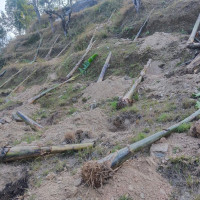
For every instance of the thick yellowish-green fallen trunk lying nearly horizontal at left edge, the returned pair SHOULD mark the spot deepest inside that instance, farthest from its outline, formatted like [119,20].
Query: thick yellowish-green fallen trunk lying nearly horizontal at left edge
[8,154]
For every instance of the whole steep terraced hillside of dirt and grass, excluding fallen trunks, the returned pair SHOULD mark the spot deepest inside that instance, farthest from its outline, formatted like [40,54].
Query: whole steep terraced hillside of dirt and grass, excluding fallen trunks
[85,111]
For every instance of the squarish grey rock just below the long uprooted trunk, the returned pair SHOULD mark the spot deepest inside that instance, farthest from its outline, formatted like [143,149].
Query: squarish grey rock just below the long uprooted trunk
[159,150]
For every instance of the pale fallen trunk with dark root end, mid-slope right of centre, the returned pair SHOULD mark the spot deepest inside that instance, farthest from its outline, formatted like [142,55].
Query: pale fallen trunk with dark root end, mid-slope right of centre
[128,98]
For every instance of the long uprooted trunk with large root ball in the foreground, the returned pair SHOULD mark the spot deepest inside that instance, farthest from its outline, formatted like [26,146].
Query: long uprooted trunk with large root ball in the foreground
[91,171]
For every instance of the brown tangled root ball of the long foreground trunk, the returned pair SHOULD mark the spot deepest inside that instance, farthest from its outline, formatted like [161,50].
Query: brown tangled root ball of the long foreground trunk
[95,174]
